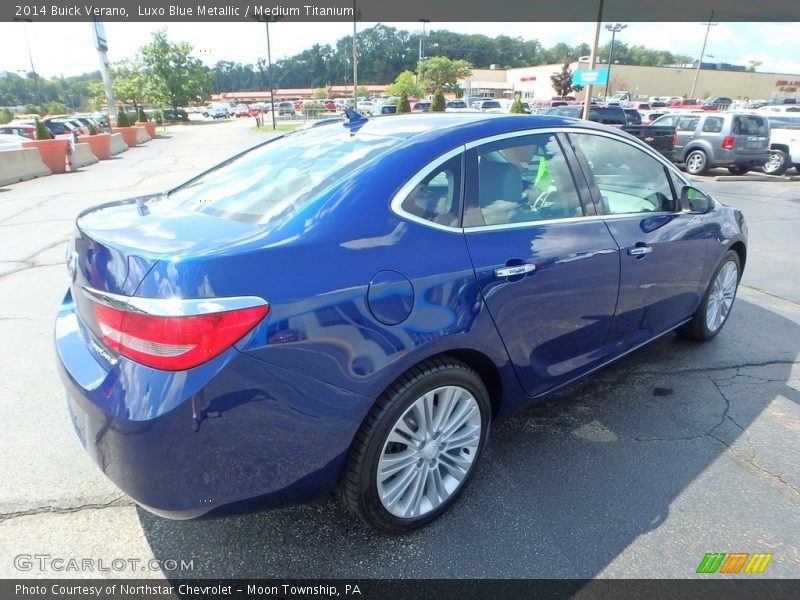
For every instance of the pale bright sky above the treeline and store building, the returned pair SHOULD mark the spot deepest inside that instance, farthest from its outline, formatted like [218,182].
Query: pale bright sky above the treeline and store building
[67,49]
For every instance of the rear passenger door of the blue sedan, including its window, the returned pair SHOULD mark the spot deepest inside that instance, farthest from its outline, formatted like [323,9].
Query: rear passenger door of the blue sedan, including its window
[547,268]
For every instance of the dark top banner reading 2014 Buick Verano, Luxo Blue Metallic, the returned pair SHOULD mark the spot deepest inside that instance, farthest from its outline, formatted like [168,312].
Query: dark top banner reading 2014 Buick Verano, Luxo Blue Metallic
[532,11]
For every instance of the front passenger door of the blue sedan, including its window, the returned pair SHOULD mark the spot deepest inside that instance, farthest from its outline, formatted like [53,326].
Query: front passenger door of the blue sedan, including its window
[661,249]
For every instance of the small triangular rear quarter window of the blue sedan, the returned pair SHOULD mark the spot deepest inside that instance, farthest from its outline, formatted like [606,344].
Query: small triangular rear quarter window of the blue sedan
[436,197]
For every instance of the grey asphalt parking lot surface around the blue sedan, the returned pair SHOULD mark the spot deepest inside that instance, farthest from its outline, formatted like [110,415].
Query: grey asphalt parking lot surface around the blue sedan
[678,450]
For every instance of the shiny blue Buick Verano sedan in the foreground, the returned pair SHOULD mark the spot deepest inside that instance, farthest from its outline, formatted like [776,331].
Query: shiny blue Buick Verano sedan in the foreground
[349,307]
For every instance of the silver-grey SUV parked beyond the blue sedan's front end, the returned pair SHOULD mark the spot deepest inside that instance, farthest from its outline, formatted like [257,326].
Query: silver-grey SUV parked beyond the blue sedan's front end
[739,141]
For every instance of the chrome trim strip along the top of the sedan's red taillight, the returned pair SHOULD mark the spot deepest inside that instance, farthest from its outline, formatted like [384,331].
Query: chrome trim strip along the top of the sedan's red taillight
[172,307]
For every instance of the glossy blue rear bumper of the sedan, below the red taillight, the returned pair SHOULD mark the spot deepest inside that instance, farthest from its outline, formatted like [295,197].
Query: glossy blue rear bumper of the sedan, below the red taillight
[234,429]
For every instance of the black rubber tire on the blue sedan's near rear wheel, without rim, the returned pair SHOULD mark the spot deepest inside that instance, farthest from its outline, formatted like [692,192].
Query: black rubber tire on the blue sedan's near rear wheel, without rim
[358,486]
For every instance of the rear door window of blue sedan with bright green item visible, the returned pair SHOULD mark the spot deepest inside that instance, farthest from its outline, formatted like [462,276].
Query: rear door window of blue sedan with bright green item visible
[524,179]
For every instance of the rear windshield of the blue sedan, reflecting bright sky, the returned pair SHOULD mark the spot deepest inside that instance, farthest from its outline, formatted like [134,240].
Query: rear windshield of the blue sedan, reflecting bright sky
[275,181]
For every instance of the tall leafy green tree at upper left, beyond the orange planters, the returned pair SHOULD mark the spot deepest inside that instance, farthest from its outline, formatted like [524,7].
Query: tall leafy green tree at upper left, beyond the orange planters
[174,77]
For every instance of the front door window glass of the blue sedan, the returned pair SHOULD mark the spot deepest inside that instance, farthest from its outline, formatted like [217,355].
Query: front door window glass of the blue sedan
[630,180]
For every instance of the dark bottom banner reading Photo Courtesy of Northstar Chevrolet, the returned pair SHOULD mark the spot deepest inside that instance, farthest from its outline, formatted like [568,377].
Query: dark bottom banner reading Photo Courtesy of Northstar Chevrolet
[709,588]
